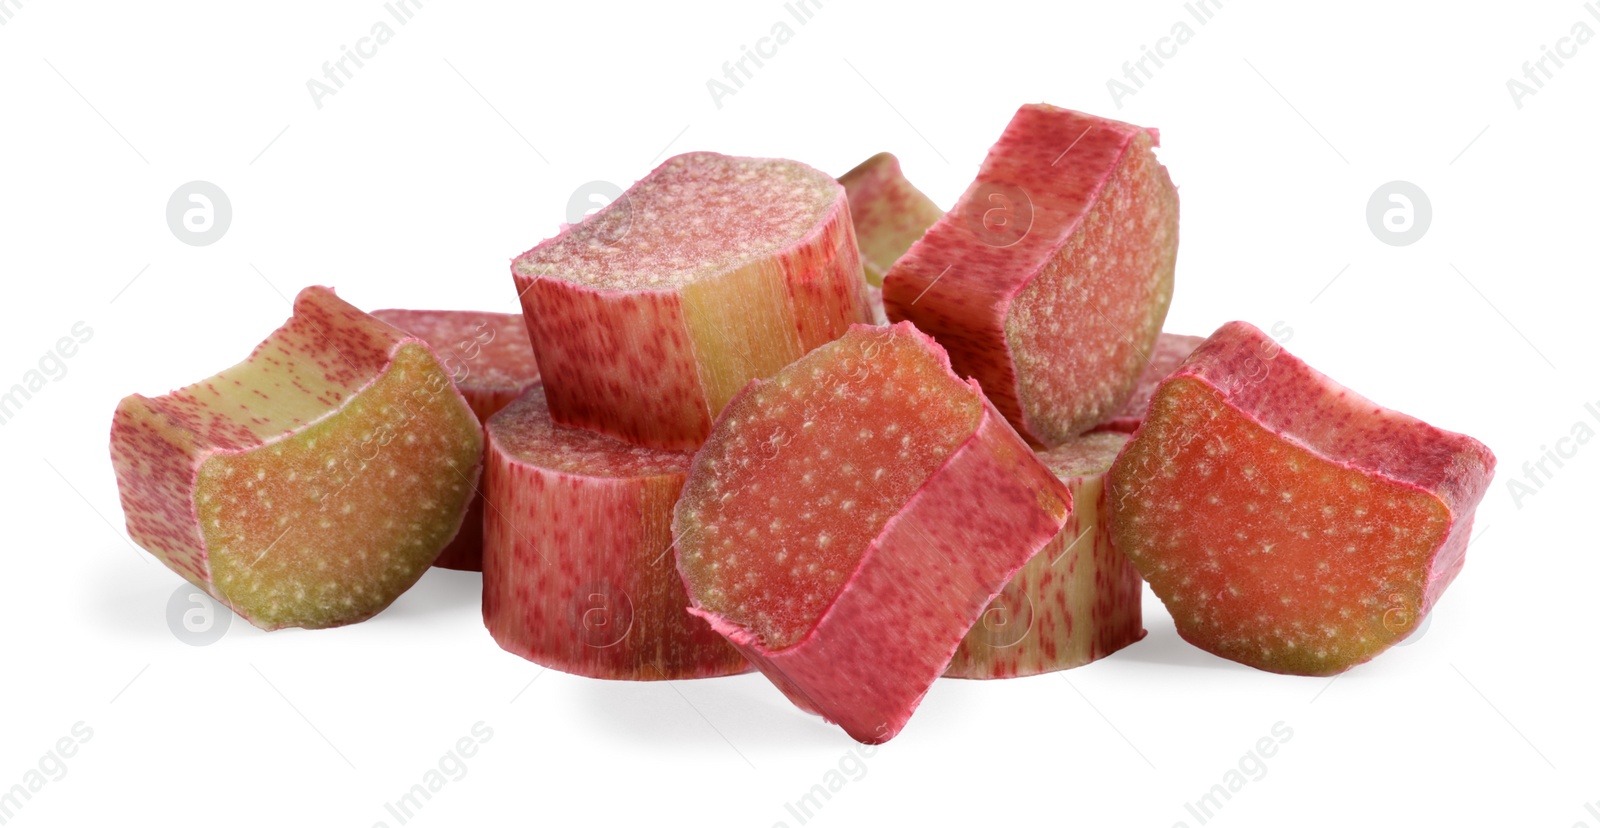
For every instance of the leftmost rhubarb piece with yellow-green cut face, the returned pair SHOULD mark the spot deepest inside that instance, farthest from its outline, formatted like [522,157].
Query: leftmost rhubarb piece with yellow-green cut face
[310,485]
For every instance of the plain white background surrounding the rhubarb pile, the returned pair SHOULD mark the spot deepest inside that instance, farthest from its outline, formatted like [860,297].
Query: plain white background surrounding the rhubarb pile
[460,145]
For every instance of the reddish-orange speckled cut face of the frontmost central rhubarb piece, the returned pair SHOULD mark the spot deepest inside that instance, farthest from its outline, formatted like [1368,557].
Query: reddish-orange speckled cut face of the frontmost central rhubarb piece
[807,471]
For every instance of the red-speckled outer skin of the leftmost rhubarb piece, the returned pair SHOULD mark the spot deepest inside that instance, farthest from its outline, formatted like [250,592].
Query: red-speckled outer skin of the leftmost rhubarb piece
[159,445]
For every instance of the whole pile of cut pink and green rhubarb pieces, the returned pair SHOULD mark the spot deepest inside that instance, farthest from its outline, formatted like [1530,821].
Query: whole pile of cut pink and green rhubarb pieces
[758,418]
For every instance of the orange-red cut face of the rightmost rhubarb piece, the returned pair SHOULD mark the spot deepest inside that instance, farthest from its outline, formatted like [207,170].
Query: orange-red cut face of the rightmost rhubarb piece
[1268,552]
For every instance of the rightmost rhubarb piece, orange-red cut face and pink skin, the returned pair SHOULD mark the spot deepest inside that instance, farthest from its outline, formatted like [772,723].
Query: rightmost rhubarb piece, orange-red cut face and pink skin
[1287,522]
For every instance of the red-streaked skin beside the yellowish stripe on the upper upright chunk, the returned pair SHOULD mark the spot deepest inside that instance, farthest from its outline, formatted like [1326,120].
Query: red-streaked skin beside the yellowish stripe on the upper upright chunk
[626,364]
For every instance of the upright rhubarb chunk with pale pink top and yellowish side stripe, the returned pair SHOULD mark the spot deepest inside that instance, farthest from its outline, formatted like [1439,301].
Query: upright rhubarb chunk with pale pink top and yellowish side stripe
[650,314]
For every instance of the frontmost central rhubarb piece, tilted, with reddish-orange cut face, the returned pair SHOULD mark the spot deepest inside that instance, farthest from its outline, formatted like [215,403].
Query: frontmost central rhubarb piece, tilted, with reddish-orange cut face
[852,517]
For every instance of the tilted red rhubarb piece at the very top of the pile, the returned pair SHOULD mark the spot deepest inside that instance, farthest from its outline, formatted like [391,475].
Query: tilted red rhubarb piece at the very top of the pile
[1050,281]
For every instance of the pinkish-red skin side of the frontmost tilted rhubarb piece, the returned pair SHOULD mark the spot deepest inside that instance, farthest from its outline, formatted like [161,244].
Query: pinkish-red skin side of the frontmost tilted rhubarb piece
[919,587]
